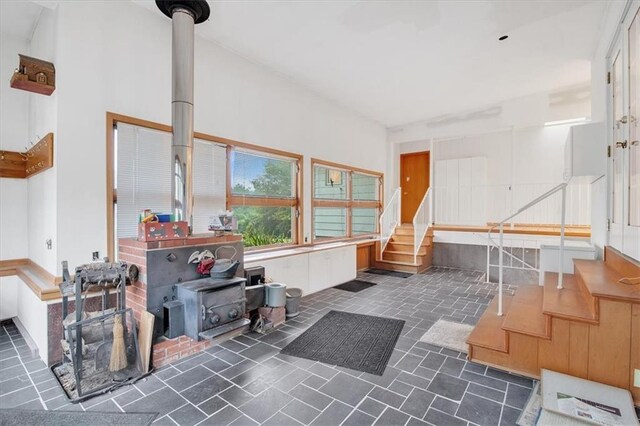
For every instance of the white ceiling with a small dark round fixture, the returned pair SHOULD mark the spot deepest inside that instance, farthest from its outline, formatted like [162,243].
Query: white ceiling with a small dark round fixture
[398,62]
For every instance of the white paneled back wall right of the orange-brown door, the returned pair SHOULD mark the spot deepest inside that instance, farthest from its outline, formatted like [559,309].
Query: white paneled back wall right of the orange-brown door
[484,178]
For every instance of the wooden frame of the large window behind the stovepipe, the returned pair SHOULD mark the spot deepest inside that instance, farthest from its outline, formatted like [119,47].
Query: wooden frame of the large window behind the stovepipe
[111,195]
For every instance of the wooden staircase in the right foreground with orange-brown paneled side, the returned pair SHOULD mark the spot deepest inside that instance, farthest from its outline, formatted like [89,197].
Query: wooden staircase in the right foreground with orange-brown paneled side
[589,329]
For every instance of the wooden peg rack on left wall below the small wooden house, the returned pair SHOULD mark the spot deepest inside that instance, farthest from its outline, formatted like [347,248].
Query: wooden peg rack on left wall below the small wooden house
[19,165]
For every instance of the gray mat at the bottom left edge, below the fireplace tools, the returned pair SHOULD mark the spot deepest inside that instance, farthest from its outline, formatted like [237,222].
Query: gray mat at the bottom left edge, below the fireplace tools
[15,417]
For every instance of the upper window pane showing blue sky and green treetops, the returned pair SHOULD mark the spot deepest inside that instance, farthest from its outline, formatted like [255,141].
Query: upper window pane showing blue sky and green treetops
[258,175]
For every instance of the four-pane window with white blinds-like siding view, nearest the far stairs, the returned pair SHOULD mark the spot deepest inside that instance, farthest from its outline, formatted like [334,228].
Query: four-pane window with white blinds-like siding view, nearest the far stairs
[346,201]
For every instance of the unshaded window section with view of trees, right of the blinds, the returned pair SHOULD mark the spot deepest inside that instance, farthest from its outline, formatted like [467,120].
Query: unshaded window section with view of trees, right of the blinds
[264,196]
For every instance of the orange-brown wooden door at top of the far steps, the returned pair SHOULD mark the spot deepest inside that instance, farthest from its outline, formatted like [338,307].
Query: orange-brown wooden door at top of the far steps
[414,181]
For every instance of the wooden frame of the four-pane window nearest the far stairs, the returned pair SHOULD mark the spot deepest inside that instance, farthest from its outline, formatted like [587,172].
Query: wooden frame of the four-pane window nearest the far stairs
[349,204]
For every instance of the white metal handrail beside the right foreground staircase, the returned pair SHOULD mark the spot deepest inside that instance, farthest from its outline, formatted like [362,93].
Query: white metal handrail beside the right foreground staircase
[500,225]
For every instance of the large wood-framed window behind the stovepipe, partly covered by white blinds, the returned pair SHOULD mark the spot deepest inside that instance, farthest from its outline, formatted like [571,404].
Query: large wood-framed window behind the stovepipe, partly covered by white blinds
[260,185]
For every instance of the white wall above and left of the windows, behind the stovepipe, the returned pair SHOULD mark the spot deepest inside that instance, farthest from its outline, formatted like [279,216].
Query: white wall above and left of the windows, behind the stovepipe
[114,56]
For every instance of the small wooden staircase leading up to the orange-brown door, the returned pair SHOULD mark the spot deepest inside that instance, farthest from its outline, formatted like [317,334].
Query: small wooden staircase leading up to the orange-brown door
[398,254]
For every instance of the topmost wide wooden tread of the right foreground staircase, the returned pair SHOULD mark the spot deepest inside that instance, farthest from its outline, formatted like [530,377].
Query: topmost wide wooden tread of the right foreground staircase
[602,281]
